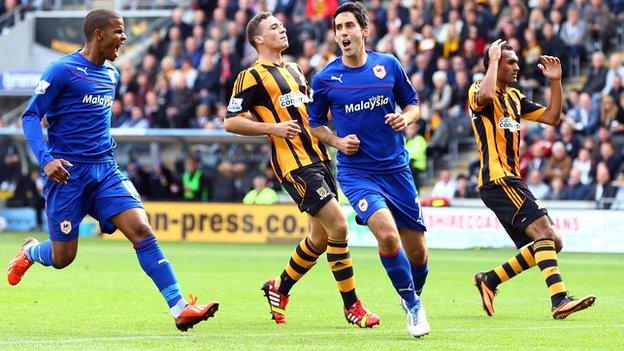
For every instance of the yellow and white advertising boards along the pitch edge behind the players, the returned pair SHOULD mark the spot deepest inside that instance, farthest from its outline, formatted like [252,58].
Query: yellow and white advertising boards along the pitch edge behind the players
[448,228]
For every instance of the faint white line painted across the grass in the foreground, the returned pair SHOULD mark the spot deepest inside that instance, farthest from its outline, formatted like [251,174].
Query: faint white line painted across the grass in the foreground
[299,333]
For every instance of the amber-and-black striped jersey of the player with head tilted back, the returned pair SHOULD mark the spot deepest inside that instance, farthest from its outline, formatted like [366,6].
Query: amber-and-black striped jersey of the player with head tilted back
[273,94]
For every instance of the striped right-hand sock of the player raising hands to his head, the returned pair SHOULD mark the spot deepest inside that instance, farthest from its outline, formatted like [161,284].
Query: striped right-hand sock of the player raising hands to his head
[546,258]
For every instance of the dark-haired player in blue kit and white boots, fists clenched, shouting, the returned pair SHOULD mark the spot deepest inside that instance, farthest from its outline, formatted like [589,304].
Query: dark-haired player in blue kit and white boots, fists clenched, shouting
[361,89]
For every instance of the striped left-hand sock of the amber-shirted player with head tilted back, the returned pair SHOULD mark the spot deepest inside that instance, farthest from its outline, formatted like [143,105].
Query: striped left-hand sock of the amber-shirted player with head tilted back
[302,259]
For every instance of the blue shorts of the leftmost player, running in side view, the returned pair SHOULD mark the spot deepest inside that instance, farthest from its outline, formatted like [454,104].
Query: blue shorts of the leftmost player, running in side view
[97,189]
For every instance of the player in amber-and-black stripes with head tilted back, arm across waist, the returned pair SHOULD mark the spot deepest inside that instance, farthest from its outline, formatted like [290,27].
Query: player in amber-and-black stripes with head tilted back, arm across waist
[270,98]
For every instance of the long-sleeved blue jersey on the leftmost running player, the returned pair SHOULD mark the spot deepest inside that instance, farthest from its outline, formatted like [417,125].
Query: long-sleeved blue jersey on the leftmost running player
[76,97]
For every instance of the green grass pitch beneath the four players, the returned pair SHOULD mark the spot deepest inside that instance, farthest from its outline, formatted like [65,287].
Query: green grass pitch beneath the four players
[104,301]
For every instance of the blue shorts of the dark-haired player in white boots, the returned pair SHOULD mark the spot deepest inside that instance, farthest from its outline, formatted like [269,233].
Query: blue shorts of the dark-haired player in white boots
[368,193]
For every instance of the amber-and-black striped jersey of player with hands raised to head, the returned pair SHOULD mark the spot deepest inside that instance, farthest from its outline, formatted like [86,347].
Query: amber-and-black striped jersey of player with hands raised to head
[496,129]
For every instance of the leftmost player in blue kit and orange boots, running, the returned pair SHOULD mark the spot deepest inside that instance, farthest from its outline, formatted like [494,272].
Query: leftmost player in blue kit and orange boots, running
[75,94]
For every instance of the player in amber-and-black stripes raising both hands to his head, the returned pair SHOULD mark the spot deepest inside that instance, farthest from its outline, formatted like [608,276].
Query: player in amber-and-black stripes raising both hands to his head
[496,112]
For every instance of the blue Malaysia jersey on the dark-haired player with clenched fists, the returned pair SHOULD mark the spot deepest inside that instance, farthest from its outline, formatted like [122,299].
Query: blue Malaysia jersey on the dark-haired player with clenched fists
[358,99]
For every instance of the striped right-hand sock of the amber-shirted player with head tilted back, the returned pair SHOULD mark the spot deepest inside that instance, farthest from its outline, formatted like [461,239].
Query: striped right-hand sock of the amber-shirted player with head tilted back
[340,262]
